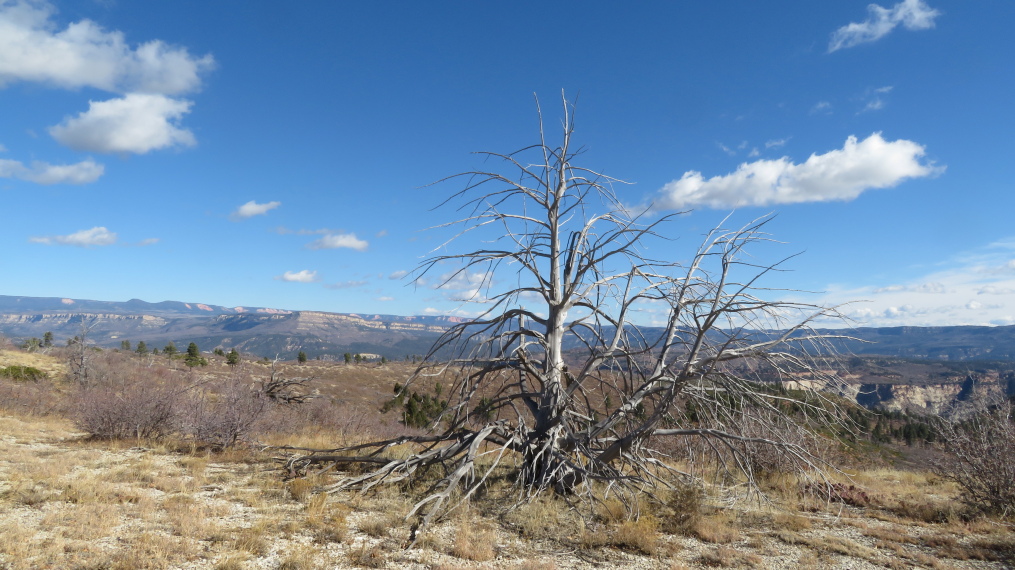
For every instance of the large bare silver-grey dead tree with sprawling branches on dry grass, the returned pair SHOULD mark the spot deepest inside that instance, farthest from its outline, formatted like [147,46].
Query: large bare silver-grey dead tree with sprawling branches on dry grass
[558,379]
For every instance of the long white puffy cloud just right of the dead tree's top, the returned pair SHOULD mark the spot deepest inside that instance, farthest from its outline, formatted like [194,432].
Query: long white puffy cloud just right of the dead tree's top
[838,175]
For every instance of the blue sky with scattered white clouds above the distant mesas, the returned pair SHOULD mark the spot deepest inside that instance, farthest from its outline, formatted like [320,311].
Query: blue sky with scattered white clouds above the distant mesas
[248,155]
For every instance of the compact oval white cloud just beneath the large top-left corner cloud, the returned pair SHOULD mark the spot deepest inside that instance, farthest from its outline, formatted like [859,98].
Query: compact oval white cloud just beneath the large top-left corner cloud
[137,123]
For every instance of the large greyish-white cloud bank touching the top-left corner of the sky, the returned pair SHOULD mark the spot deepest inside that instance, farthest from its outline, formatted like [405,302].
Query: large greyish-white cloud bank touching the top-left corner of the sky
[85,55]
